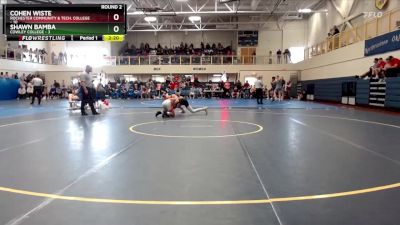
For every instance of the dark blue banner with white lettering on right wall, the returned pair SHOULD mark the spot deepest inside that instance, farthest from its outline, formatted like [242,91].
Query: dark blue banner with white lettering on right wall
[384,43]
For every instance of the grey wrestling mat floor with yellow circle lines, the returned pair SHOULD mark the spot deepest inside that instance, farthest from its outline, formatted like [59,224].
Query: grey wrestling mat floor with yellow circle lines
[282,163]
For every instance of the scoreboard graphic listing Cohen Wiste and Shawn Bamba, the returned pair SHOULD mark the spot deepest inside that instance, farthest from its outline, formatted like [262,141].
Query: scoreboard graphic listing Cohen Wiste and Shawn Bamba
[91,22]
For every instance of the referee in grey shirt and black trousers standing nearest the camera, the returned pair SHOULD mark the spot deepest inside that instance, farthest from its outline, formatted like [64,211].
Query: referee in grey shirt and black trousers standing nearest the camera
[87,90]
